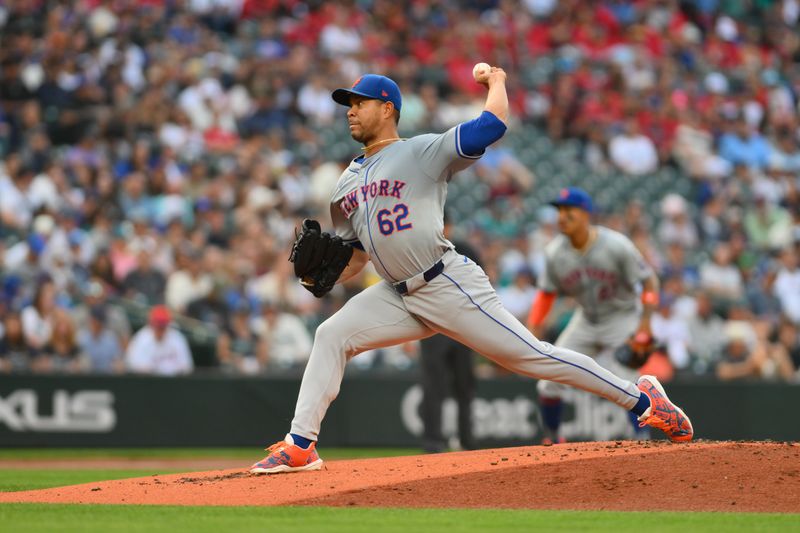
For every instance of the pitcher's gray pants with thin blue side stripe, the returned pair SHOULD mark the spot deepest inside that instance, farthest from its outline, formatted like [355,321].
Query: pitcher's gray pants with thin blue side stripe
[460,303]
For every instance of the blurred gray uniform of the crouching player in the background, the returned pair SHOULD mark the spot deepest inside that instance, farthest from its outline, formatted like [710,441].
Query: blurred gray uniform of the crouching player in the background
[605,282]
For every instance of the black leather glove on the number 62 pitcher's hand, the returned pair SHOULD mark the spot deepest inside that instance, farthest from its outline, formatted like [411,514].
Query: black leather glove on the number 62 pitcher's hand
[319,258]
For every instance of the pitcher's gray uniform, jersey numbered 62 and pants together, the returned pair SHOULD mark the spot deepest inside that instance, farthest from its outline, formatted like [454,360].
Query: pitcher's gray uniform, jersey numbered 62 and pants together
[392,203]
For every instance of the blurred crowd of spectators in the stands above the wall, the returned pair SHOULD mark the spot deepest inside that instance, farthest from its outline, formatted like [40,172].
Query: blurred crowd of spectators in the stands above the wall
[157,155]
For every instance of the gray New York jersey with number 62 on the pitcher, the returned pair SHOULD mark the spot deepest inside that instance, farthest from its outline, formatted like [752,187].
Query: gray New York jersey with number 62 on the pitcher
[389,205]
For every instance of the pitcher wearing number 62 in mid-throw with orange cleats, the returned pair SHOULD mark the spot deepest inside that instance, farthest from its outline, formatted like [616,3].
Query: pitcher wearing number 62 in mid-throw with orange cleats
[387,207]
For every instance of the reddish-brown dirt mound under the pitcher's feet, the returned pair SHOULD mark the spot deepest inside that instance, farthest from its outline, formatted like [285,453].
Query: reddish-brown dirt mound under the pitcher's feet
[701,476]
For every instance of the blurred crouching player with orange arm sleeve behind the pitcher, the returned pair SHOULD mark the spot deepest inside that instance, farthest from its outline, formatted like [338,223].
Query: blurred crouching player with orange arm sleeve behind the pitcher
[607,276]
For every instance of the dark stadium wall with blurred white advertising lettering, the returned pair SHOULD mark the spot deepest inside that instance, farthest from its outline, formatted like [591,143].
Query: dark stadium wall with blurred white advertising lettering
[132,411]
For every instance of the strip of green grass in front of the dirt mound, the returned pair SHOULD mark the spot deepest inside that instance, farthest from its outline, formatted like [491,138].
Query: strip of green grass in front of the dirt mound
[152,519]
